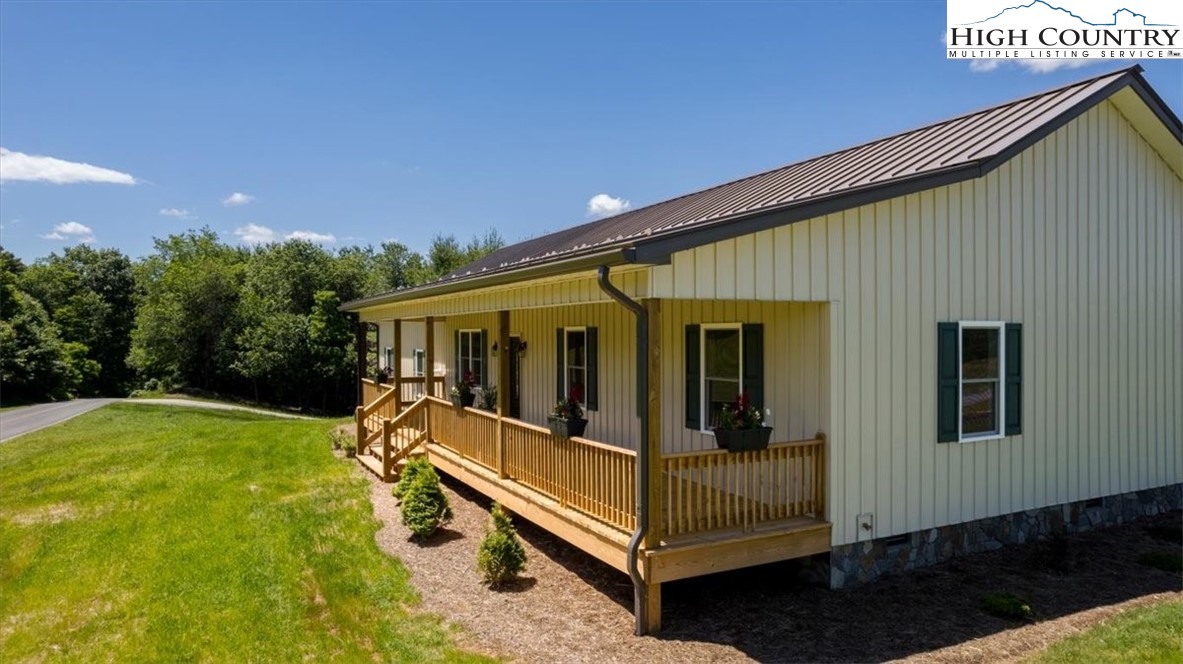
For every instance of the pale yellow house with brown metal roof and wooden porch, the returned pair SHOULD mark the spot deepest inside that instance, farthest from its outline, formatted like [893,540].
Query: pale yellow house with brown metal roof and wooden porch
[964,336]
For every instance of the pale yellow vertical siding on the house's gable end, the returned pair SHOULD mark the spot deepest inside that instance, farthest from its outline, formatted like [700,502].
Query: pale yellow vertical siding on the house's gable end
[1078,237]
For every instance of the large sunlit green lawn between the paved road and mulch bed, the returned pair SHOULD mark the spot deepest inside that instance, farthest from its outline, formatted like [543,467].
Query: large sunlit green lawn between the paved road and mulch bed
[141,533]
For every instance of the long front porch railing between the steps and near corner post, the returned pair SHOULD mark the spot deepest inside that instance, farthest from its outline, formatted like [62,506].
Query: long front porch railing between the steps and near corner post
[591,478]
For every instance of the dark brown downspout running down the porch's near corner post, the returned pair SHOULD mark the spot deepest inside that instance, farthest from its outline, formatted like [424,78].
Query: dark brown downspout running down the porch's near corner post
[643,453]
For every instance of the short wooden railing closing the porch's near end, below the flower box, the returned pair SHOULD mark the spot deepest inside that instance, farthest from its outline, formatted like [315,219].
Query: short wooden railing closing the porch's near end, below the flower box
[720,489]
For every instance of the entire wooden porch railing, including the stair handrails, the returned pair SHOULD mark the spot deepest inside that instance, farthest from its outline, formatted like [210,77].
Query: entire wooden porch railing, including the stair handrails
[701,492]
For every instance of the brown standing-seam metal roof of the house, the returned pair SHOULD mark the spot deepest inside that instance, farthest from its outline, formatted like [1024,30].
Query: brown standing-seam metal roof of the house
[952,151]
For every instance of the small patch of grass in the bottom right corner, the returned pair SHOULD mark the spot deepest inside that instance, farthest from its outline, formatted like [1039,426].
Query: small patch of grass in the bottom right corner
[1148,634]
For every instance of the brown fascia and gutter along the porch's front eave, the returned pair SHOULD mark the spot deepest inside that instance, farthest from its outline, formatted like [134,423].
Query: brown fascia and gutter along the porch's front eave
[534,270]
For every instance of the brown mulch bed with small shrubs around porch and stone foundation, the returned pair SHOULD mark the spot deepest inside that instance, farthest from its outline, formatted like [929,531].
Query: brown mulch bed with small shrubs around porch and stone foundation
[571,608]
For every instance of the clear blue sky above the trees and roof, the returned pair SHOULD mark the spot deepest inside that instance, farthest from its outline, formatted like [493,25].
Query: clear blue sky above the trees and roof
[358,124]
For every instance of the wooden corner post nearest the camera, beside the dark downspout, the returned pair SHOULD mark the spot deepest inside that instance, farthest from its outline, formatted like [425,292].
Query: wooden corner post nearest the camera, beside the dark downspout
[654,441]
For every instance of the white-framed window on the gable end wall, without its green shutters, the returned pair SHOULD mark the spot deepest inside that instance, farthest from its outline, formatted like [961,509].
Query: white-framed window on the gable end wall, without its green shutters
[981,396]
